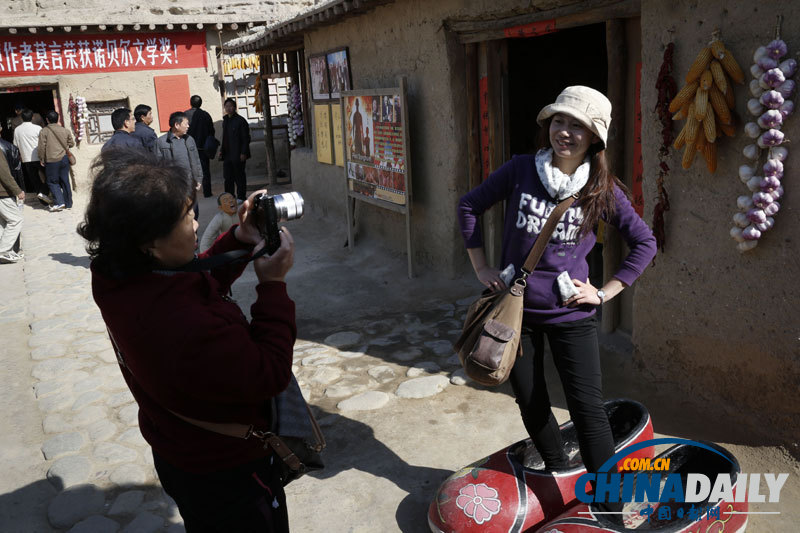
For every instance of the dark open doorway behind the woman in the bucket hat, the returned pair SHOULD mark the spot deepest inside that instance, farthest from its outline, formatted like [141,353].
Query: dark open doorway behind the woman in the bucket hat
[539,68]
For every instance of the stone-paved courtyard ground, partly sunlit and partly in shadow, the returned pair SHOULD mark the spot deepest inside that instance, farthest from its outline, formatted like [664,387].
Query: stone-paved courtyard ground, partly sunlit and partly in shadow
[373,358]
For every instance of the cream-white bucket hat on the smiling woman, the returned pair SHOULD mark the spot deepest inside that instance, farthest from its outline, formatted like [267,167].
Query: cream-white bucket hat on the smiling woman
[589,106]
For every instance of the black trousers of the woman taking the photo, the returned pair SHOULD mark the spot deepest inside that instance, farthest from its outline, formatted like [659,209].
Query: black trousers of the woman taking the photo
[247,498]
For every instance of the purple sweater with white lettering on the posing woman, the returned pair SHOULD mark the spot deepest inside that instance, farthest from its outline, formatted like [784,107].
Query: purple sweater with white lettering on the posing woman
[527,210]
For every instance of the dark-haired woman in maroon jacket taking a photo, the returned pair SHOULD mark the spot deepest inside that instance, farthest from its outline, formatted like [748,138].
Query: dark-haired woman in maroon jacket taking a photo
[184,349]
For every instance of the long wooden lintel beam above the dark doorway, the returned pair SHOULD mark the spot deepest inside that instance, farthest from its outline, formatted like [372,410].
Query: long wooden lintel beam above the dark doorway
[579,14]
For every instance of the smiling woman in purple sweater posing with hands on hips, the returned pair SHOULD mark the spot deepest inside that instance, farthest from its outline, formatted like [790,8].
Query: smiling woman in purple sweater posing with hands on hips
[571,161]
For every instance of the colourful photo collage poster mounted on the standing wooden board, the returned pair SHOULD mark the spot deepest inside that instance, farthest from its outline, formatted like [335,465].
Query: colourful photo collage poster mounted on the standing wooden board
[376,162]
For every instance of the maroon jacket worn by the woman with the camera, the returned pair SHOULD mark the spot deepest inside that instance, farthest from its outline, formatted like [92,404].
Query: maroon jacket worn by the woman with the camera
[188,350]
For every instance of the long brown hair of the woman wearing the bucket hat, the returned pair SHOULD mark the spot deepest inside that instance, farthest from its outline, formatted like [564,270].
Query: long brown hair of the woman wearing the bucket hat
[596,199]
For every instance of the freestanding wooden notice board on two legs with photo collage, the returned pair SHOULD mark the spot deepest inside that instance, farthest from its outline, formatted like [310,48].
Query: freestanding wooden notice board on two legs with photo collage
[375,127]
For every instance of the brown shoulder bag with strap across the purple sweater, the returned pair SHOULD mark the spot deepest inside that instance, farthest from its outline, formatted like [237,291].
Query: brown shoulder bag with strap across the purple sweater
[490,341]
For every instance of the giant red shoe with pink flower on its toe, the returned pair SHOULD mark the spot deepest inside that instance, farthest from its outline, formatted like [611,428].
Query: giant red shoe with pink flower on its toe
[510,491]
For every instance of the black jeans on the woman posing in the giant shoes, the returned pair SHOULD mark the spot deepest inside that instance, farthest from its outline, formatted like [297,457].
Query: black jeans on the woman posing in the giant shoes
[576,355]
